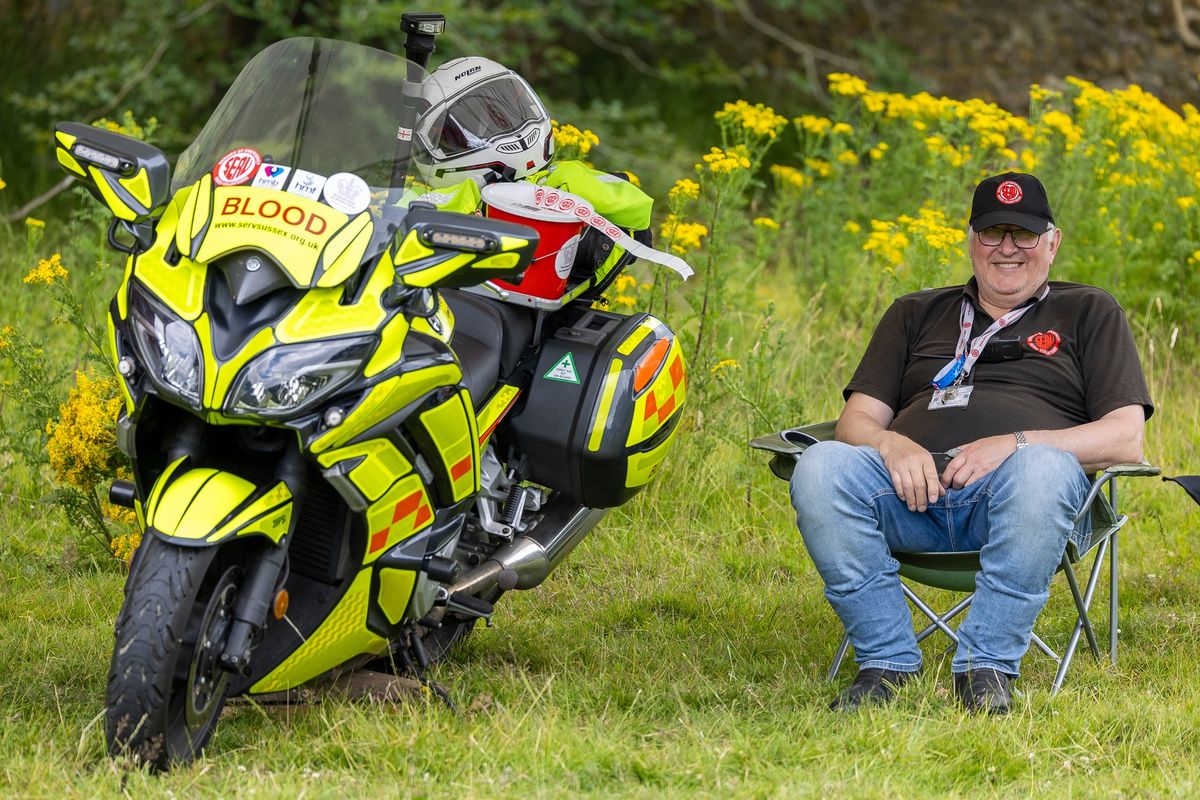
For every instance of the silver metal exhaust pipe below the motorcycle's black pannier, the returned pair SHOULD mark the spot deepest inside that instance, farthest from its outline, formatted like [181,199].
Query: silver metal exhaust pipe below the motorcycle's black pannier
[527,561]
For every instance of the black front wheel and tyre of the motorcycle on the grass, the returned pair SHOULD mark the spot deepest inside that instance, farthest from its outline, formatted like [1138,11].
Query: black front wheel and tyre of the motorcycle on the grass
[166,688]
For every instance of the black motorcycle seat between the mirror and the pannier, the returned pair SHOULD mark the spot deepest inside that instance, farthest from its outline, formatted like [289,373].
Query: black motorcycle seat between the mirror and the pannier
[489,339]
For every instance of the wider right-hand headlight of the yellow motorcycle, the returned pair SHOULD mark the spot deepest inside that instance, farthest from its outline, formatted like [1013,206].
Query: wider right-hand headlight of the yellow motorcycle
[290,380]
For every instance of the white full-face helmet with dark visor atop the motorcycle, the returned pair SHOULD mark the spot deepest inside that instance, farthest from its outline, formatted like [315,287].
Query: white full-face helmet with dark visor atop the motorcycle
[483,117]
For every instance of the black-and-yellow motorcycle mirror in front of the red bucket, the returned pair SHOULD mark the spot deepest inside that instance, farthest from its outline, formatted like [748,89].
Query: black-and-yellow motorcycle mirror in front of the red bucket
[452,251]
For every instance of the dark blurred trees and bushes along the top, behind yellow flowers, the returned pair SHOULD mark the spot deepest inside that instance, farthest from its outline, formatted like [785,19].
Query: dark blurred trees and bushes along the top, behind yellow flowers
[646,75]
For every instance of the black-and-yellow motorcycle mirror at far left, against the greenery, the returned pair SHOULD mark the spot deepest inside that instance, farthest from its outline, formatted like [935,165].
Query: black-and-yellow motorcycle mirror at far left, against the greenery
[129,176]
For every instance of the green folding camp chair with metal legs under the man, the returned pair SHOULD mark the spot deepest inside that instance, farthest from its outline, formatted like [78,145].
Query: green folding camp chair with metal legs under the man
[957,572]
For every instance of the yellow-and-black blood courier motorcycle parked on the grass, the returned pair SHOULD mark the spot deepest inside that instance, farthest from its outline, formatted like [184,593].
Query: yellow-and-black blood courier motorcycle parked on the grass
[351,432]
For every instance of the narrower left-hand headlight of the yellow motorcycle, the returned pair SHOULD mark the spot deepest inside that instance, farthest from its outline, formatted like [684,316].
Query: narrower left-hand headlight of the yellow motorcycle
[169,346]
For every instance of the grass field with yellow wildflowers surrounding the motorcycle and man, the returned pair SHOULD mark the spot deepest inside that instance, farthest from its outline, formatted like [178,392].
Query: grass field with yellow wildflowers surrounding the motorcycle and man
[682,649]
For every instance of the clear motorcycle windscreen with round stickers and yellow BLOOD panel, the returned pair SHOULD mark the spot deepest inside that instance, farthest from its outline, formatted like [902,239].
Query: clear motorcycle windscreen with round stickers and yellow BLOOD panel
[314,136]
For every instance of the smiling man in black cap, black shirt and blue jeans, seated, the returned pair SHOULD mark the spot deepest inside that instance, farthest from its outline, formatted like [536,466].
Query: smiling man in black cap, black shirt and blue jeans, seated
[1029,386]
